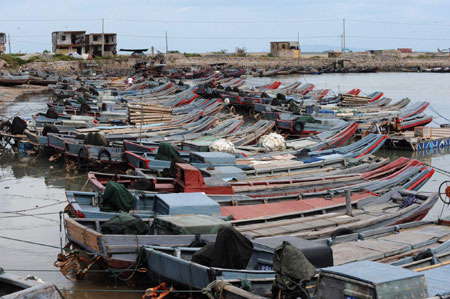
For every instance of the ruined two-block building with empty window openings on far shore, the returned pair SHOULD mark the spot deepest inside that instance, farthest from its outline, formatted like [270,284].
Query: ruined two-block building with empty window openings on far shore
[94,44]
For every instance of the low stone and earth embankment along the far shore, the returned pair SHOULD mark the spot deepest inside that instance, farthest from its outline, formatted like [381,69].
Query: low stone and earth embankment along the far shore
[123,64]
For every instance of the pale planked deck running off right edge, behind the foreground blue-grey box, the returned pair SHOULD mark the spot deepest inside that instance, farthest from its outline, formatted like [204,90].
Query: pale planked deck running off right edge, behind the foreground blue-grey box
[397,245]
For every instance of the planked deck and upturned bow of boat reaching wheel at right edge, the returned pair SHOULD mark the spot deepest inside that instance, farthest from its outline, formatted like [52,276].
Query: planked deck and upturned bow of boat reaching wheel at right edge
[372,212]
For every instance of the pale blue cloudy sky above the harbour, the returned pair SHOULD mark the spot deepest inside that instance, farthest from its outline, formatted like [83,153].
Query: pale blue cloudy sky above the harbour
[209,25]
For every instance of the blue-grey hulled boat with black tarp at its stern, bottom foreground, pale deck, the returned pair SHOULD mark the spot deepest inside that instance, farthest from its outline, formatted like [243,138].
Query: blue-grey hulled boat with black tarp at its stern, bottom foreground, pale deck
[175,265]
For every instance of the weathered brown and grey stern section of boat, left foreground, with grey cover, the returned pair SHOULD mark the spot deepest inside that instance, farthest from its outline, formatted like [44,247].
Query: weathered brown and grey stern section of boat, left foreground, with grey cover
[120,251]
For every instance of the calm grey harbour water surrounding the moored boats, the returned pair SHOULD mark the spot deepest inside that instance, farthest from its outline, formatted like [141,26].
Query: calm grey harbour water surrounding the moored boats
[29,244]
